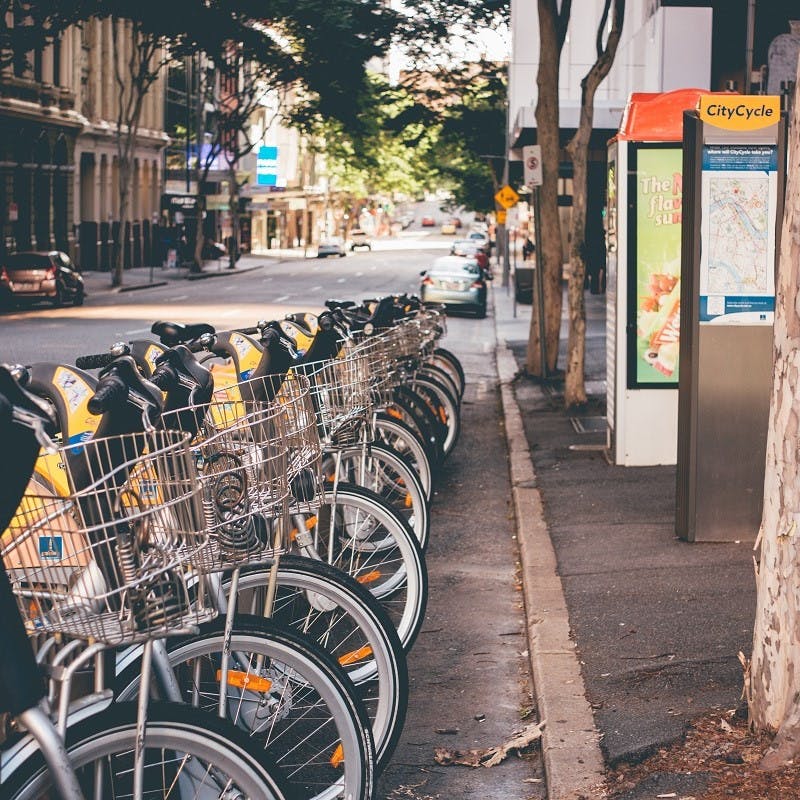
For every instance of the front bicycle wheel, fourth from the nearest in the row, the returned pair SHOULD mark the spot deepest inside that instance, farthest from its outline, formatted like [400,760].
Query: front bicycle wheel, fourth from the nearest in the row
[371,543]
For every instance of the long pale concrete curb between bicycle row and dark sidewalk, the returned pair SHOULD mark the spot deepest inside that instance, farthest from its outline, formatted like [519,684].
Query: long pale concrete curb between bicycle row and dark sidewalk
[573,762]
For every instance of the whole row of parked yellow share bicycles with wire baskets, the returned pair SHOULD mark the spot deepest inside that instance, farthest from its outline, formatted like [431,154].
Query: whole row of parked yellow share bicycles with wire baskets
[213,553]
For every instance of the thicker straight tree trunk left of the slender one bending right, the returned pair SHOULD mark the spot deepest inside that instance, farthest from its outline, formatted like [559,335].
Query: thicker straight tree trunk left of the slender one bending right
[550,259]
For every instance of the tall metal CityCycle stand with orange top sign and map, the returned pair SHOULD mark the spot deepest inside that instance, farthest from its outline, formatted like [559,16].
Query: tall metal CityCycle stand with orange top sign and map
[734,172]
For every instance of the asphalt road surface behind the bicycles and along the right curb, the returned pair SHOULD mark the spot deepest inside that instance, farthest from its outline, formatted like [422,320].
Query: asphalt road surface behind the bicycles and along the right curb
[469,680]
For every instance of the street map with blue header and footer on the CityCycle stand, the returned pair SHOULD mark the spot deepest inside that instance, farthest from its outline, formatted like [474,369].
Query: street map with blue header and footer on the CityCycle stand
[737,262]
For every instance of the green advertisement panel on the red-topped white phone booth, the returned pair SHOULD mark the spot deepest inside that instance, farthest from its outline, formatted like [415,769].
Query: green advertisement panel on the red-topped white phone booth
[654,265]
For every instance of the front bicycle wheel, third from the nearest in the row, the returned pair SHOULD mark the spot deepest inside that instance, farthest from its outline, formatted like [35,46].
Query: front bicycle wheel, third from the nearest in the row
[341,616]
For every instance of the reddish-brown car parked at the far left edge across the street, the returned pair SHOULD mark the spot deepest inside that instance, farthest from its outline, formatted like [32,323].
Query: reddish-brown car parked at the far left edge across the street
[40,276]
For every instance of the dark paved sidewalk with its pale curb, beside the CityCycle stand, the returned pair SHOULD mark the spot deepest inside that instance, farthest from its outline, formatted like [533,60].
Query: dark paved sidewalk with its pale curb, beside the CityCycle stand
[655,624]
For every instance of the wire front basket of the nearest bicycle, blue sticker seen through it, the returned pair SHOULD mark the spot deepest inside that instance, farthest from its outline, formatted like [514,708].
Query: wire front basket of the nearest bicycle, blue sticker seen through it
[111,560]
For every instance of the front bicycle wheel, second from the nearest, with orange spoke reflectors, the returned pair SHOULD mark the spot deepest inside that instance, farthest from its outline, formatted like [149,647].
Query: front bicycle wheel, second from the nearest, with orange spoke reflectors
[286,694]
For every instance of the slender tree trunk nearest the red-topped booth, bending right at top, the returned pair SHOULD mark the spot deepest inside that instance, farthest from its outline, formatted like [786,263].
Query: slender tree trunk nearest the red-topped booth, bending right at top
[578,149]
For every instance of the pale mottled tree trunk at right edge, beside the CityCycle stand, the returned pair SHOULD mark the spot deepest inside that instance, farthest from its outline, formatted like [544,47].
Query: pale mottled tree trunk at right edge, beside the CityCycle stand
[773,695]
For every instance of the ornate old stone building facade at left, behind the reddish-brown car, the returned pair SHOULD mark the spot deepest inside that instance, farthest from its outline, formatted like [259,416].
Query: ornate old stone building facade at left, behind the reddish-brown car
[59,175]
